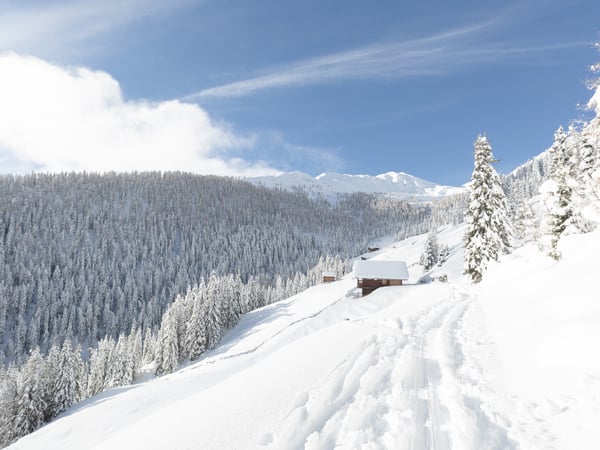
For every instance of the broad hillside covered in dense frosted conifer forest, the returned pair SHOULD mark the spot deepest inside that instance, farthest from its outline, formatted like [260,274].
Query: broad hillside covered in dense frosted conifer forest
[85,256]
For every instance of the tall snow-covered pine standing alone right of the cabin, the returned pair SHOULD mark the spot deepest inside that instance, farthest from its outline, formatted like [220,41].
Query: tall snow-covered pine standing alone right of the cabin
[488,228]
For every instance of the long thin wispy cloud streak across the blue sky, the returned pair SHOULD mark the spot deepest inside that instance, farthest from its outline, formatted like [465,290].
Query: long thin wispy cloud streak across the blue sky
[441,53]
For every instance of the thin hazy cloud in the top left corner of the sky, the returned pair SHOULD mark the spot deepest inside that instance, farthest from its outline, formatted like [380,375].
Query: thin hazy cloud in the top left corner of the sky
[54,29]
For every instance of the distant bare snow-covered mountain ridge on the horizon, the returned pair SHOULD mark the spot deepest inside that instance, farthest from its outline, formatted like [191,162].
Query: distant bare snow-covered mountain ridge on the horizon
[397,184]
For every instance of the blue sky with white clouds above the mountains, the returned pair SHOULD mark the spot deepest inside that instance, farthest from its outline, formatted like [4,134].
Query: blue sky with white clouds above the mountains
[242,88]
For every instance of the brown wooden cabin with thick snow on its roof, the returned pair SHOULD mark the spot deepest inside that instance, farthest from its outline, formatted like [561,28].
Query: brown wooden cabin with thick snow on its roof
[371,275]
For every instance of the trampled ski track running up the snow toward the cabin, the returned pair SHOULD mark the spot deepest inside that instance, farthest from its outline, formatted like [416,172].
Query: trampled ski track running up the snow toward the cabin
[407,386]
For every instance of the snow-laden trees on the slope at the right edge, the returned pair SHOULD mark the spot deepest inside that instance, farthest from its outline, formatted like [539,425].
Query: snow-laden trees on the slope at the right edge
[558,192]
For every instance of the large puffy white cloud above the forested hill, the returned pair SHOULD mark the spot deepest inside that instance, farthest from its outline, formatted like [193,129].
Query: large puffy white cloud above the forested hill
[58,119]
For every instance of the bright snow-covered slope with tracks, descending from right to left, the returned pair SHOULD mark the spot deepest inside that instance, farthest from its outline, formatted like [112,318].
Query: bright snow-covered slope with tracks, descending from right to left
[511,363]
